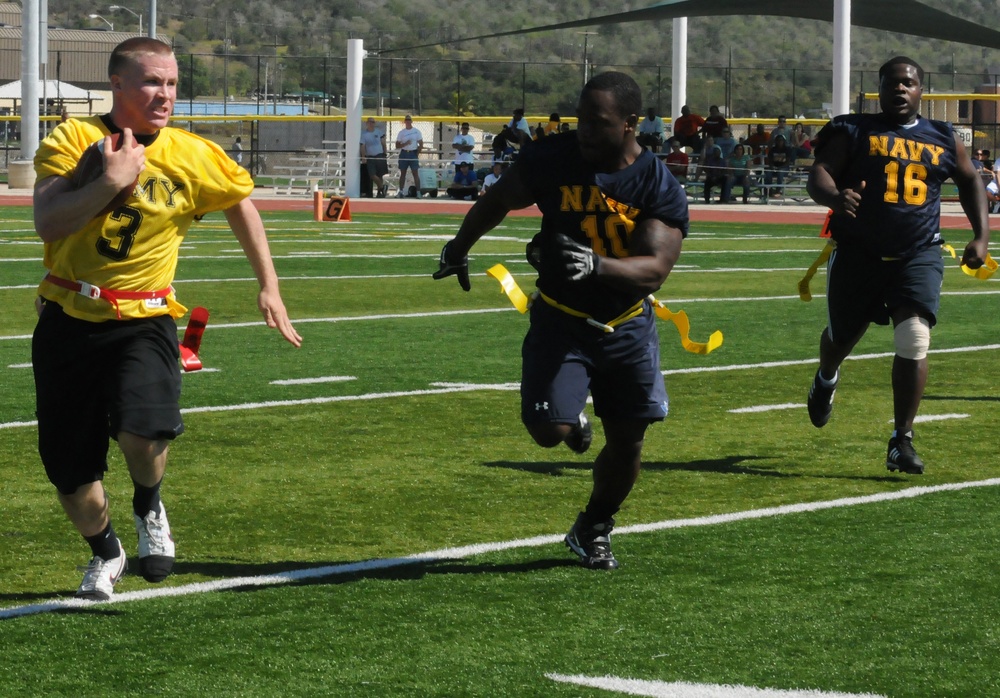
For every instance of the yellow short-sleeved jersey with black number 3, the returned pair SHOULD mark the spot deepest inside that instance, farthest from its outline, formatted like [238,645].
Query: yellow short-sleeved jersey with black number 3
[135,247]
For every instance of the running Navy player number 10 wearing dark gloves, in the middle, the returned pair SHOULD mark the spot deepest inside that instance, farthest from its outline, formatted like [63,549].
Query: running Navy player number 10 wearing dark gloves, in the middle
[613,218]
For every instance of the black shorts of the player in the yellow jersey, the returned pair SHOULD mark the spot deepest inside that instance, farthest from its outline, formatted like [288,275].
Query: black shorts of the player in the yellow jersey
[95,379]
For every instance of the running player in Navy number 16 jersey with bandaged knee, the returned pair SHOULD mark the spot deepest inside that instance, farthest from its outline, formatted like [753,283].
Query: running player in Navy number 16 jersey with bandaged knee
[881,174]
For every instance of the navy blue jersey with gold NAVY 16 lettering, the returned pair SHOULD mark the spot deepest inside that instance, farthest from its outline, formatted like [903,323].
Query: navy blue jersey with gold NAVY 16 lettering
[903,168]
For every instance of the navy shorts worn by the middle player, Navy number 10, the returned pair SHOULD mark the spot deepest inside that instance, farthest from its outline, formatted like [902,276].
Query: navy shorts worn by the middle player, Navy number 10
[562,358]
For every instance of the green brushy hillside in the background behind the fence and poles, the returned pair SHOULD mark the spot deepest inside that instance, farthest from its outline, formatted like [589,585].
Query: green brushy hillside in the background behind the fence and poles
[749,63]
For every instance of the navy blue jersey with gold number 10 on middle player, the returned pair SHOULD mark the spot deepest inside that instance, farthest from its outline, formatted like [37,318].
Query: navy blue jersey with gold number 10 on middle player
[597,209]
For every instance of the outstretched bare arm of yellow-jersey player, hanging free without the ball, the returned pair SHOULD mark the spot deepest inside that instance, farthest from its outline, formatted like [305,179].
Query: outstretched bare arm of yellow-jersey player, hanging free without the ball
[249,230]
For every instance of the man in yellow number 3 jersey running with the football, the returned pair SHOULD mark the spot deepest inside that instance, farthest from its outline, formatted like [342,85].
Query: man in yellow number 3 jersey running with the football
[104,351]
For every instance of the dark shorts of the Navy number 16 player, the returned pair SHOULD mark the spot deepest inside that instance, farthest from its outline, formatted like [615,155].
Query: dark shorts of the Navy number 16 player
[861,288]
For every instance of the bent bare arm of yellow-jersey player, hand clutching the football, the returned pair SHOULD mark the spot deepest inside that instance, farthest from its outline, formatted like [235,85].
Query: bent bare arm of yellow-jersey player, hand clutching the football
[60,210]
